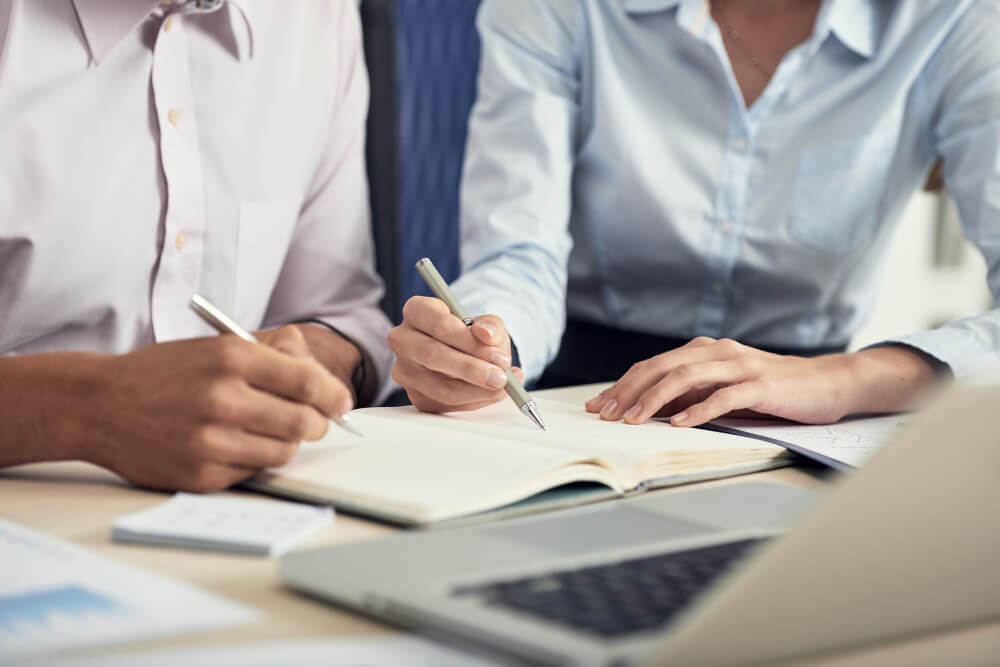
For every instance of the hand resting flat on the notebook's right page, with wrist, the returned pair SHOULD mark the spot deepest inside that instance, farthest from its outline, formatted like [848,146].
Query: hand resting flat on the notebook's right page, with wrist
[708,378]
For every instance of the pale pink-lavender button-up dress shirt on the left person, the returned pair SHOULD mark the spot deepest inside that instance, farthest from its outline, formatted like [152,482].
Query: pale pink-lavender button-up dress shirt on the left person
[149,154]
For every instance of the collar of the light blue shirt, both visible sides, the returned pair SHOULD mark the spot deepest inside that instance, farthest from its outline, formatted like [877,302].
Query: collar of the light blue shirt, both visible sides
[854,22]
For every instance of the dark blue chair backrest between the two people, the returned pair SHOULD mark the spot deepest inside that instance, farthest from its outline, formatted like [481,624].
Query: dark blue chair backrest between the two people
[423,59]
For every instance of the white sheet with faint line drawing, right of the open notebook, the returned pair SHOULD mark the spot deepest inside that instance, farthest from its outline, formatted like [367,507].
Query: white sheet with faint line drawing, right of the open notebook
[844,445]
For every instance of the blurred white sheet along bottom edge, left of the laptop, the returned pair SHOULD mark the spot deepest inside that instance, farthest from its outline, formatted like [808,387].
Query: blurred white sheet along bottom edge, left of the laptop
[392,651]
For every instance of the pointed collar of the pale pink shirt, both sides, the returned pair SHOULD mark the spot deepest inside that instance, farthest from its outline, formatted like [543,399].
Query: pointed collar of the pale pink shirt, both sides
[105,23]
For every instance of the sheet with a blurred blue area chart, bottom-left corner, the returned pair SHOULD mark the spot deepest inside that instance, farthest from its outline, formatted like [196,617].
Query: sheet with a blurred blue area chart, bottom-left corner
[56,596]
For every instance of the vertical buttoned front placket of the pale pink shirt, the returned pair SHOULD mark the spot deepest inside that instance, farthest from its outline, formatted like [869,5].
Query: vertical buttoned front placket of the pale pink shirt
[178,273]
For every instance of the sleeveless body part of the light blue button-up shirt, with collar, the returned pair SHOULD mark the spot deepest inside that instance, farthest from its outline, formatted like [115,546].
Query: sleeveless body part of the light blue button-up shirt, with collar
[695,216]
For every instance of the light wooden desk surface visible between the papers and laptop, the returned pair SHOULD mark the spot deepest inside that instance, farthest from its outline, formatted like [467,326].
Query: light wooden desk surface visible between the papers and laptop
[78,502]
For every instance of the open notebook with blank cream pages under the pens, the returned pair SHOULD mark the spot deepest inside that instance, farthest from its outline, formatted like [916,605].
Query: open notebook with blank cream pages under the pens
[416,468]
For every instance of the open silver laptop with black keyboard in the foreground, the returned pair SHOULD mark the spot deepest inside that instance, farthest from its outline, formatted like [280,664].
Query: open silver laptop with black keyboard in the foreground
[709,575]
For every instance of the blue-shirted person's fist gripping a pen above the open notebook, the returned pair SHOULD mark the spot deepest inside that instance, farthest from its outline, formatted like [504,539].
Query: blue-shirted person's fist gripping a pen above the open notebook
[445,365]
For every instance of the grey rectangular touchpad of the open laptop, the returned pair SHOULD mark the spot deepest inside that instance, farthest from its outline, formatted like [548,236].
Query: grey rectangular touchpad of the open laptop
[596,531]
